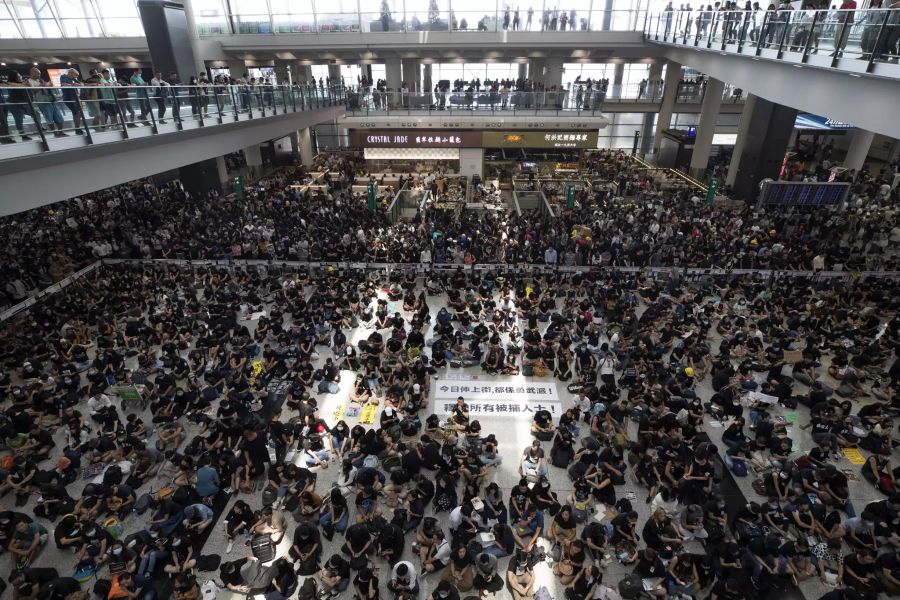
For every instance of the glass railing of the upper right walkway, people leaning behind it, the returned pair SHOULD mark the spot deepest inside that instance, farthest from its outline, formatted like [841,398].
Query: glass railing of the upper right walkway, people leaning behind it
[821,37]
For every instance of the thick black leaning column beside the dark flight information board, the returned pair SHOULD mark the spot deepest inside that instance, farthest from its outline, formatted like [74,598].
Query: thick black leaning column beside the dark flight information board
[763,135]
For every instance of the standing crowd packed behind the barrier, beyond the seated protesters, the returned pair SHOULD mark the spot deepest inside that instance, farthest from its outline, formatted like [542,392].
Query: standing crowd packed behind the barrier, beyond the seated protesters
[632,222]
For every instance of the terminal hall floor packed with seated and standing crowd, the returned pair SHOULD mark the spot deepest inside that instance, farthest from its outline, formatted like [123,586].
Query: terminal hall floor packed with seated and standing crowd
[536,427]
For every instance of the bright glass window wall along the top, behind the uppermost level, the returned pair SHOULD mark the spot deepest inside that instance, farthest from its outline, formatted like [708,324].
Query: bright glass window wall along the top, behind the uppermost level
[117,18]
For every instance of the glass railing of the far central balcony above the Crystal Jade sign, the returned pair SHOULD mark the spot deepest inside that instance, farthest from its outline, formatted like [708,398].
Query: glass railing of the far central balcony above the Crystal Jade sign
[577,99]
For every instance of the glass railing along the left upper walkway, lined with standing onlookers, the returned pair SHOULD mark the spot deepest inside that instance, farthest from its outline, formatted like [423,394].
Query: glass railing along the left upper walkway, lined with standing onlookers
[42,119]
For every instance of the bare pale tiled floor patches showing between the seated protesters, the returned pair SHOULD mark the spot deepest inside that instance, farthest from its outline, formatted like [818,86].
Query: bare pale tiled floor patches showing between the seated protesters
[513,436]
